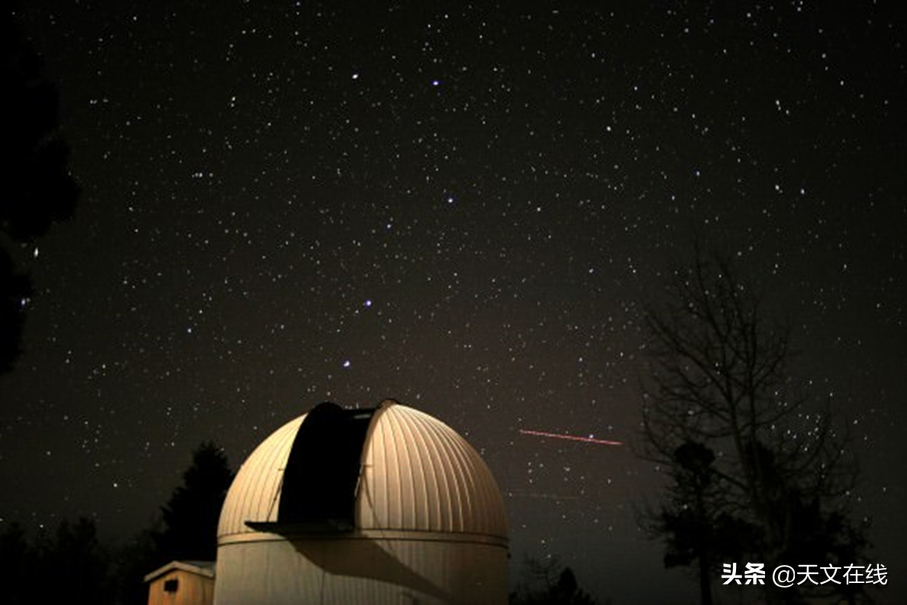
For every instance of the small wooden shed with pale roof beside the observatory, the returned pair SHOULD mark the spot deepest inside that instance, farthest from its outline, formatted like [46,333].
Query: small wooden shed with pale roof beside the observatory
[182,583]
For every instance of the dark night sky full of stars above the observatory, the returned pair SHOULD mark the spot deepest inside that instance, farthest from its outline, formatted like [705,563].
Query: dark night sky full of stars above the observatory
[461,206]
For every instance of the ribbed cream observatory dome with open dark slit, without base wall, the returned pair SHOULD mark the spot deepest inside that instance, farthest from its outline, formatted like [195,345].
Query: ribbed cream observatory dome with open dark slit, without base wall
[386,468]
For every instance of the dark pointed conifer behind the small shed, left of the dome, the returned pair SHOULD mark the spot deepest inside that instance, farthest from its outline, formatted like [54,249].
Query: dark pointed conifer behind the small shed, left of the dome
[190,516]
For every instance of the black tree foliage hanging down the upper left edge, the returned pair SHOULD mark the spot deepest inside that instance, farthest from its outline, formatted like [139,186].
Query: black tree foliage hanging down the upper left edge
[35,187]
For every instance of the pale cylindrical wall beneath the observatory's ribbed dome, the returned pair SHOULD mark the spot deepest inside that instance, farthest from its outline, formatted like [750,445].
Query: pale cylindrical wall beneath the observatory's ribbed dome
[374,569]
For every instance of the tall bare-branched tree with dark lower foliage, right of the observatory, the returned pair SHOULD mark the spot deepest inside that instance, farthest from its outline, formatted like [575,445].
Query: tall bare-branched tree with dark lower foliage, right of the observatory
[719,383]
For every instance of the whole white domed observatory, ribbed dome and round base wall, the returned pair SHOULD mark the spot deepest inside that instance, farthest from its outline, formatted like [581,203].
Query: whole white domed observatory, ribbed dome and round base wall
[378,505]
